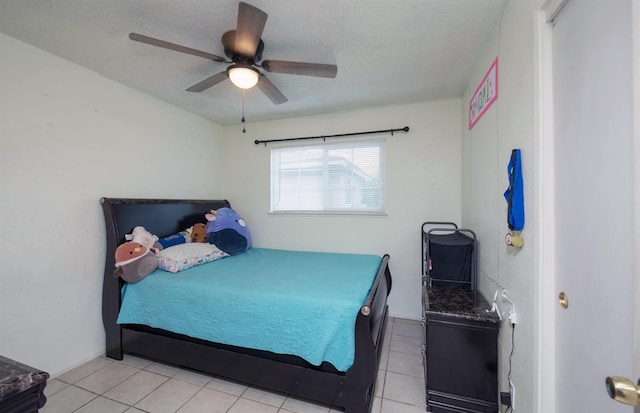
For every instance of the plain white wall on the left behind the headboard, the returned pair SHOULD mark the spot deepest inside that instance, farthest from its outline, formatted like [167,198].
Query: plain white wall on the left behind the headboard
[68,137]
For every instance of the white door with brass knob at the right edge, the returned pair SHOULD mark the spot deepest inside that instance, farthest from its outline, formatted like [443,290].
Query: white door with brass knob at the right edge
[596,239]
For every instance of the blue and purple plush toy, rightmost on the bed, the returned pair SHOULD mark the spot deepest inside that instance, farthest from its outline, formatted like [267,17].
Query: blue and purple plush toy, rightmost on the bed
[228,231]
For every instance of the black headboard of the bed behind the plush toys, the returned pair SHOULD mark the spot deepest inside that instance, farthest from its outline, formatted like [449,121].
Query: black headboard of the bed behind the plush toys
[161,217]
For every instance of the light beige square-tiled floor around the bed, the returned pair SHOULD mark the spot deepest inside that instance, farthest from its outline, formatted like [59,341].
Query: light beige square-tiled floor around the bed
[136,385]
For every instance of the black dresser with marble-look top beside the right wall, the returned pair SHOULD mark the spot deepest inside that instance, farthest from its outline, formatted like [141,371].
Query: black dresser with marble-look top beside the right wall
[461,351]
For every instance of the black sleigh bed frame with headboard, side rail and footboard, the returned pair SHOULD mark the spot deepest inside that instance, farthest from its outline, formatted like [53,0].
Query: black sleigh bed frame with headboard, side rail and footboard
[351,390]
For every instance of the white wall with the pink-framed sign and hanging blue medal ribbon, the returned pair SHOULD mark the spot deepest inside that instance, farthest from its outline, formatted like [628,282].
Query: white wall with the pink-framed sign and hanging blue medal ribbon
[510,123]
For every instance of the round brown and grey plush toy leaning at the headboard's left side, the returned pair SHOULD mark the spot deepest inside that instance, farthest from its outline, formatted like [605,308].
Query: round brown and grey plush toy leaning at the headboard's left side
[134,261]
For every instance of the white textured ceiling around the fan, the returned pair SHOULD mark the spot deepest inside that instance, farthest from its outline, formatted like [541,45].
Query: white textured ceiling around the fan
[387,52]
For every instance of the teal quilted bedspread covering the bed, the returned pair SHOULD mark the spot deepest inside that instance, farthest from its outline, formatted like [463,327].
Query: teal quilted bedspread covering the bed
[286,302]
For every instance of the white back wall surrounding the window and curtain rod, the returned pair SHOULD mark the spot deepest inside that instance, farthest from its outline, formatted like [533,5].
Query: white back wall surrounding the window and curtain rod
[422,177]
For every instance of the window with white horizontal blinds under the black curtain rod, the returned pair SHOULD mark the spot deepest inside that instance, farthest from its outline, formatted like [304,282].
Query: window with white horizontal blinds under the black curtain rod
[337,177]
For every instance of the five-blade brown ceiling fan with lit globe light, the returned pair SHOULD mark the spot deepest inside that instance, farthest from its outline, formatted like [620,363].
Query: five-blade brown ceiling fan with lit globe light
[243,47]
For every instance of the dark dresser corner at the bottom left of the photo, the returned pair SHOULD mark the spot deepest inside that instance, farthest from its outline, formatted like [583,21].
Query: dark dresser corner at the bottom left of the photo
[21,387]
